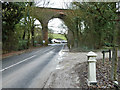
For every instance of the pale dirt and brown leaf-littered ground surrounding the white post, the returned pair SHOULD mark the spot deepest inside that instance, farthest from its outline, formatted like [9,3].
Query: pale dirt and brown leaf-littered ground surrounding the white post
[72,72]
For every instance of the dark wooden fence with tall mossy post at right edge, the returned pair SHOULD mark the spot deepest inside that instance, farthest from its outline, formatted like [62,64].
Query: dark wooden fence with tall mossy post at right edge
[113,58]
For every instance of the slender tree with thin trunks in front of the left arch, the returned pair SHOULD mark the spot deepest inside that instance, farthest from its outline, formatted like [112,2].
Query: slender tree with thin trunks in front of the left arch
[29,22]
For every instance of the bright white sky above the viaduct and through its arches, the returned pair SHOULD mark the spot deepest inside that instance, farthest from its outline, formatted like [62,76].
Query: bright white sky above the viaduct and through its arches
[54,24]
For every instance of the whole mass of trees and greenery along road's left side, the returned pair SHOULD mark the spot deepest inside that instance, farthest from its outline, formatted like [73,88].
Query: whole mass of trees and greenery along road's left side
[19,30]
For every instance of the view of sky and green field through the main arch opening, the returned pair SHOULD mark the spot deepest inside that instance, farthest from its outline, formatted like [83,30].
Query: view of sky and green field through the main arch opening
[57,30]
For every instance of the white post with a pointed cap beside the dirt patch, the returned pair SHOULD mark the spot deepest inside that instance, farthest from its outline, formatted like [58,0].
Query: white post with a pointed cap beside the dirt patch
[91,68]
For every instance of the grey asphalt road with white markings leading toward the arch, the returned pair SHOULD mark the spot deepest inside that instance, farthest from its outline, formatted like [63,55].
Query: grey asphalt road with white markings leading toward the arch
[30,70]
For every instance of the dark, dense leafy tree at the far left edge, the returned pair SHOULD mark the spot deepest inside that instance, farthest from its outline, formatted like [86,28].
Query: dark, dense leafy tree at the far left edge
[12,13]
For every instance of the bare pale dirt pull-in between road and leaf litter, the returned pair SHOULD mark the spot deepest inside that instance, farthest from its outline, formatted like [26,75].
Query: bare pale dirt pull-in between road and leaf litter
[65,75]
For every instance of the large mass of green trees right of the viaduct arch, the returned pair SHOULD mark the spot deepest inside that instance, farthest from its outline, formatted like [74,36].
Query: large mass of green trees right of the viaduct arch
[96,20]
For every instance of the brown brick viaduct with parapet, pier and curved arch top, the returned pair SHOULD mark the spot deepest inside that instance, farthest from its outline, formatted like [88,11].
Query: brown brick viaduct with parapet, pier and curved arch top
[44,15]
